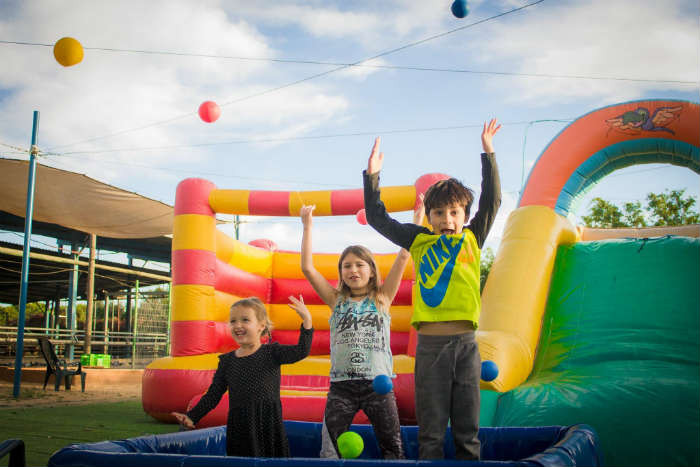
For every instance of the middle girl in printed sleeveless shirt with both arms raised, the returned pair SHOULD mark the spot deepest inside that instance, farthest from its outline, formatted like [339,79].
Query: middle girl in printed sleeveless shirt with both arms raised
[359,341]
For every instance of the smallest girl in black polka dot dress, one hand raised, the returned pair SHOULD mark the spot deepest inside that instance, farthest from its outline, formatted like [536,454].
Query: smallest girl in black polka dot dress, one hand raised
[251,374]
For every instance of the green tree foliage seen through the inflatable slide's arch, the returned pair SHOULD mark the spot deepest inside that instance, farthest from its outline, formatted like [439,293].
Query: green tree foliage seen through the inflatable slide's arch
[668,208]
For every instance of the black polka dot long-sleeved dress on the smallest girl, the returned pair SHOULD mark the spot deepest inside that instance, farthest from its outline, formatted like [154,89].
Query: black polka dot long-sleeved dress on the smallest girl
[254,424]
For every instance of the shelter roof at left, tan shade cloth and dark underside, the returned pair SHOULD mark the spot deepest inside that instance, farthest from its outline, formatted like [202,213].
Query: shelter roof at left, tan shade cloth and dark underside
[69,207]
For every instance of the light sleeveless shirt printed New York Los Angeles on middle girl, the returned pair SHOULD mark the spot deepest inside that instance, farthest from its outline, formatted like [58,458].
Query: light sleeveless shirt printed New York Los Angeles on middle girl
[360,341]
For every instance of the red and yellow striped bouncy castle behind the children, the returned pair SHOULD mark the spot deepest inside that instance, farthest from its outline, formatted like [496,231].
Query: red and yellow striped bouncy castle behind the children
[212,270]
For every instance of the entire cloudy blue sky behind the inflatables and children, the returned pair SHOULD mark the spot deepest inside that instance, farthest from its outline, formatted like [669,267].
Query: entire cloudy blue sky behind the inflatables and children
[294,118]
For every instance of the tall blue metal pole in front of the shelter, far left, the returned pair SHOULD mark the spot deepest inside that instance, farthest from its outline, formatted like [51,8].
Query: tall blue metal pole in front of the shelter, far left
[25,257]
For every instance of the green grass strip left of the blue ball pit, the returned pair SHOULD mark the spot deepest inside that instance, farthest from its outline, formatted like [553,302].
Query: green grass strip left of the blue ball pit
[46,429]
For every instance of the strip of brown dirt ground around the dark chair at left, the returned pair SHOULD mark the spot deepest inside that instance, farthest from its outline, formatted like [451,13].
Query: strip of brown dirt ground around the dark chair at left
[32,394]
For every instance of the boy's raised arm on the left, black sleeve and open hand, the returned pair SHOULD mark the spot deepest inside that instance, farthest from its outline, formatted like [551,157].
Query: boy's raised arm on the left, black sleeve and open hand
[400,234]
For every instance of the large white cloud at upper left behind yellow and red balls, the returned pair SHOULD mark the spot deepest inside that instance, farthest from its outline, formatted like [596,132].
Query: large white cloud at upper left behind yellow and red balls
[145,100]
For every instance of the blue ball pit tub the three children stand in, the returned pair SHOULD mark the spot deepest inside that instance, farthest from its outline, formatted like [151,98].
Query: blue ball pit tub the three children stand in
[508,446]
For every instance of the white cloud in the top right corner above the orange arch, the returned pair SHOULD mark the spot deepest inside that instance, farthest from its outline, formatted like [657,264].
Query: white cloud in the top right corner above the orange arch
[644,39]
